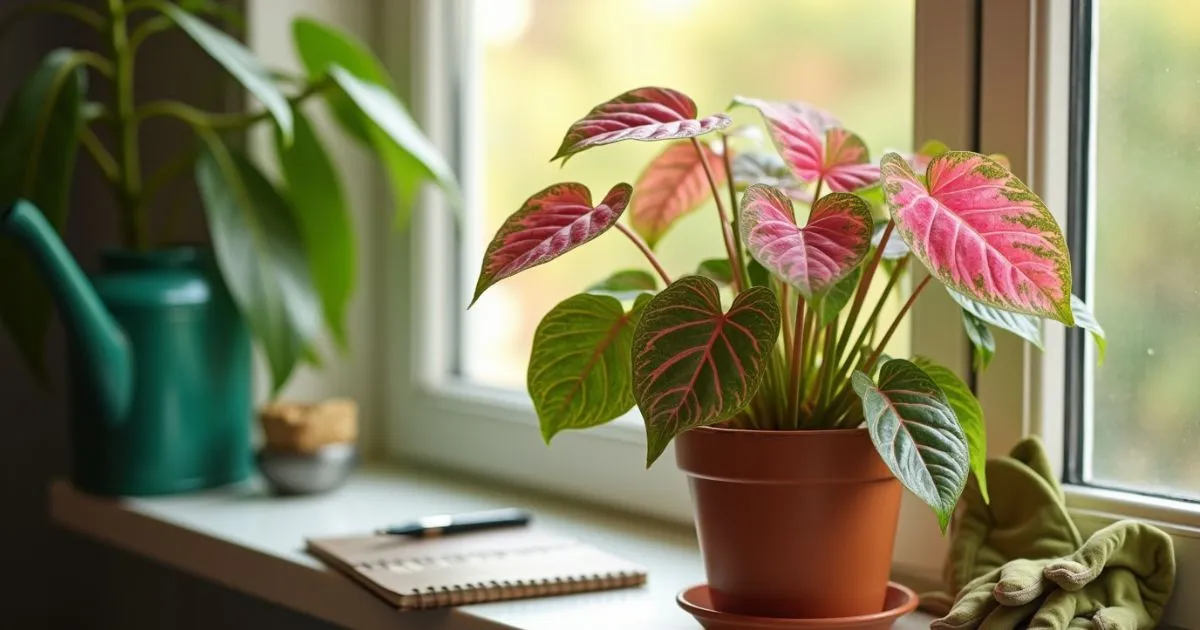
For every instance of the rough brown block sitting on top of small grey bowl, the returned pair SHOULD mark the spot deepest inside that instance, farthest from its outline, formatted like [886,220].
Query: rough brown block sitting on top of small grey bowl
[305,428]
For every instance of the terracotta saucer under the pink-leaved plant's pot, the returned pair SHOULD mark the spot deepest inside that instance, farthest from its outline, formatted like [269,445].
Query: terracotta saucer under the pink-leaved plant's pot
[697,601]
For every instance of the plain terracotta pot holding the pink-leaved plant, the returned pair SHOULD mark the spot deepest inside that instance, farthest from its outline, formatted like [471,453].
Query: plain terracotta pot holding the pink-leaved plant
[793,524]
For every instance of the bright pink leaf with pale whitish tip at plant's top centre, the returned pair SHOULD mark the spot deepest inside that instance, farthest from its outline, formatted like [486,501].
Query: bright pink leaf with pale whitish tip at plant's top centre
[814,147]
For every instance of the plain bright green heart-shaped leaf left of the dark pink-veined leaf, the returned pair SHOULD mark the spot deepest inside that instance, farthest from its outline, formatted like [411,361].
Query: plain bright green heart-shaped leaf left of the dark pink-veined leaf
[580,368]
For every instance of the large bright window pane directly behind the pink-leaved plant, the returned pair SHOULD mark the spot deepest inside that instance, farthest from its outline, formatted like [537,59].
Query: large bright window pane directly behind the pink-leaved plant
[545,63]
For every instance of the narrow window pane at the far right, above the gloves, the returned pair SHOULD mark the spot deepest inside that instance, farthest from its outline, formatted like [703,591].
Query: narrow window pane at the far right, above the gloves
[1145,428]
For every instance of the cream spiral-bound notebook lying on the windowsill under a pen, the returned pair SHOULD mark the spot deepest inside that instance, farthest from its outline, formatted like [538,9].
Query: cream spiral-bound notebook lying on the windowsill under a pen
[475,568]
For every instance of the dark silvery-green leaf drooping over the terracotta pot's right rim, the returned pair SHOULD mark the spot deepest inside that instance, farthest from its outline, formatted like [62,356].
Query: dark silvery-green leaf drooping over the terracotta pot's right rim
[916,433]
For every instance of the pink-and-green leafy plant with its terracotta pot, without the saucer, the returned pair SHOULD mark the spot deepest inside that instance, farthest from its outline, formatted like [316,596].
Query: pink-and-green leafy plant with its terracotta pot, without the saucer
[794,427]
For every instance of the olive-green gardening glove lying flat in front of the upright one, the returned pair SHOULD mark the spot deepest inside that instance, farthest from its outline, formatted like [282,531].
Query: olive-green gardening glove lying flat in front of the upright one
[1120,580]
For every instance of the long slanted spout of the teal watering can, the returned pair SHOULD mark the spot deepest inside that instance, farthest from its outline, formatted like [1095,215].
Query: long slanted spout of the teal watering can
[104,351]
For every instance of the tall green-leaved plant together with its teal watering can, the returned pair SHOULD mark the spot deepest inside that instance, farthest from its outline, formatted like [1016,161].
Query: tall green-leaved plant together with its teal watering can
[160,340]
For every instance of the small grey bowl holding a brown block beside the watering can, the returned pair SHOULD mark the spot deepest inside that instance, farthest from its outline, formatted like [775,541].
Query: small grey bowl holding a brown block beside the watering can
[308,473]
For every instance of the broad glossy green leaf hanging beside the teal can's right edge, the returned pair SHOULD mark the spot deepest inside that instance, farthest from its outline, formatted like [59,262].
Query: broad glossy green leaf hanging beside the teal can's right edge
[261,254]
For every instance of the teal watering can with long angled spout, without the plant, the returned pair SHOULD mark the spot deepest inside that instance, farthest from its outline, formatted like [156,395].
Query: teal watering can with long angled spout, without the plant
[160,365]
